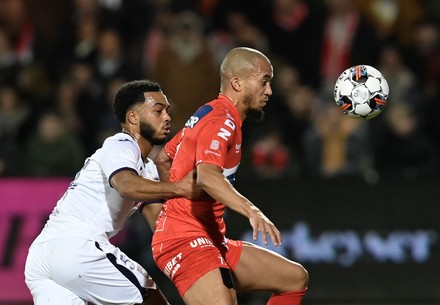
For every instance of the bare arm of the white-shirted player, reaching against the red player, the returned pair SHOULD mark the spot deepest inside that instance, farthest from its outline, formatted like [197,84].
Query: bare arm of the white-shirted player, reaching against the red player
[132,186]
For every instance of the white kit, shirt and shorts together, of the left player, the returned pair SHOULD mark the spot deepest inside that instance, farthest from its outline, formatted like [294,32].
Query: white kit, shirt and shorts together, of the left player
[72,260]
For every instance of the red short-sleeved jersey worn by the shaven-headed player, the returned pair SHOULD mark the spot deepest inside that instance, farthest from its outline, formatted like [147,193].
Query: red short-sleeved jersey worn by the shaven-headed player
[212,135]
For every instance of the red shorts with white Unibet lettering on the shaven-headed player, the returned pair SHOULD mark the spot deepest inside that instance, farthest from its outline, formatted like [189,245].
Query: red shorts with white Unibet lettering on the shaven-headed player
[185,260]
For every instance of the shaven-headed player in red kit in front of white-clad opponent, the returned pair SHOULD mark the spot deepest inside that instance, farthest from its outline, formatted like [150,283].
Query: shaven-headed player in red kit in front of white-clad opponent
[189,244]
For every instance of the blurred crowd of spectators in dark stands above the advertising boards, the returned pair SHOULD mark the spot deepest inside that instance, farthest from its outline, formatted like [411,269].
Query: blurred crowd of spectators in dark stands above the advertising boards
[61,62]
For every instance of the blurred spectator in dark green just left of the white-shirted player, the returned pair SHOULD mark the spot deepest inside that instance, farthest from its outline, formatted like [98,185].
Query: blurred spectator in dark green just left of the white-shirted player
[51,150]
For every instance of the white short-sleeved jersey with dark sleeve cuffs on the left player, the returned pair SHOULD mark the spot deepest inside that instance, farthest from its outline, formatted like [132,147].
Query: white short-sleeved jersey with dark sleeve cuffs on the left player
[91,208]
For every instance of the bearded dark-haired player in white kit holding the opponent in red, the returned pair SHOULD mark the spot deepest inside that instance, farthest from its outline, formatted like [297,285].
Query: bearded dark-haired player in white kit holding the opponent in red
[72,260]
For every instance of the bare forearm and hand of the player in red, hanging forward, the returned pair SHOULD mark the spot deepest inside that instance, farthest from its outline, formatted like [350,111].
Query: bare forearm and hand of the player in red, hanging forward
[213,182]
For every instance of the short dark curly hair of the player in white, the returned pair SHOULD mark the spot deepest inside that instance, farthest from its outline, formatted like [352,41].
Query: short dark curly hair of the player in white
[130,94]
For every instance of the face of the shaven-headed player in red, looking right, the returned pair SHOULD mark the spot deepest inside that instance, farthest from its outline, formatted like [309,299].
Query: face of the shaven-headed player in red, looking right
[258,89]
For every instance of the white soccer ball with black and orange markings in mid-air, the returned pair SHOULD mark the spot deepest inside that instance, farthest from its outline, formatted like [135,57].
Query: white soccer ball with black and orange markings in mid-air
[361,92]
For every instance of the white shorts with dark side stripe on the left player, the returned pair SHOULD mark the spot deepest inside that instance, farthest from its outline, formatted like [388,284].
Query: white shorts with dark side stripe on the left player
[76,270]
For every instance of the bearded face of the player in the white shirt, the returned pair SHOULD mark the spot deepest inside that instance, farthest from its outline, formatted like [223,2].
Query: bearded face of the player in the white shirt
[154,121]
